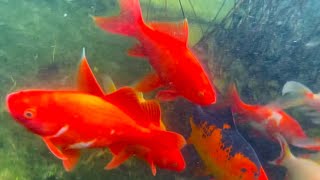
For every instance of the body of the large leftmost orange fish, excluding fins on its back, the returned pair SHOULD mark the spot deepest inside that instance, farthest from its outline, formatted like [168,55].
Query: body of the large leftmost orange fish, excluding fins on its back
[73,121]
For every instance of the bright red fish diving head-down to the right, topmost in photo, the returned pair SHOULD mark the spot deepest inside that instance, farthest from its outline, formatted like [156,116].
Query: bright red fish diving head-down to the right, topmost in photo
[164,44]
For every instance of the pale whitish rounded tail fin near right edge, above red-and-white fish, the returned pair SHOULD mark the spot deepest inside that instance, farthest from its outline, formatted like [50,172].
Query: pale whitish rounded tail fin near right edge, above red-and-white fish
[293,87]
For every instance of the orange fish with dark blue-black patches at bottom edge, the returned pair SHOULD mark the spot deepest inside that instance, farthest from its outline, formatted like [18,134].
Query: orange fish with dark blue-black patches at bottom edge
[225,153]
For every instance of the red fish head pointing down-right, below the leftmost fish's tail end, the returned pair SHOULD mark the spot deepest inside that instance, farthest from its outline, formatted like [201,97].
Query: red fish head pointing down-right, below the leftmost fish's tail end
[170,159]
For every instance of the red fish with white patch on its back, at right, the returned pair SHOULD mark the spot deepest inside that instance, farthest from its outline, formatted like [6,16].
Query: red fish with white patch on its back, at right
[267,120]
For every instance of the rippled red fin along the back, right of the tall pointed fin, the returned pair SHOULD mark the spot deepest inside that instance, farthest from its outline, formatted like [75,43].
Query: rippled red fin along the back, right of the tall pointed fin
[144,113]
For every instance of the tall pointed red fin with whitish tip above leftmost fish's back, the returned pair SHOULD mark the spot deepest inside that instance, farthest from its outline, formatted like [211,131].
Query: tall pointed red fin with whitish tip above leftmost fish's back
[87,83]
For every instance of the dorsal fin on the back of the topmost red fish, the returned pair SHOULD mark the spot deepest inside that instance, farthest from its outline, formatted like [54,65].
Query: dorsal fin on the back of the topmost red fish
[178,30]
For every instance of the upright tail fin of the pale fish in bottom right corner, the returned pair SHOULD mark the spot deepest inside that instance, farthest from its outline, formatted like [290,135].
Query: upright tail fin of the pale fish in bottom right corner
[285,151]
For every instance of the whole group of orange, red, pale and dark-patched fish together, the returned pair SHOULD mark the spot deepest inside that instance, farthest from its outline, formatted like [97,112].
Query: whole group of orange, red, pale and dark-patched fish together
[128,125]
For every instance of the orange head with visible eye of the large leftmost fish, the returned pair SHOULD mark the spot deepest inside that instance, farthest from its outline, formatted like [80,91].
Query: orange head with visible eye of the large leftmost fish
[31,108]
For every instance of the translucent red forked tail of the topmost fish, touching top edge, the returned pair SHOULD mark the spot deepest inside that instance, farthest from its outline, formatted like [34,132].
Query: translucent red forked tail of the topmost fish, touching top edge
[128,21]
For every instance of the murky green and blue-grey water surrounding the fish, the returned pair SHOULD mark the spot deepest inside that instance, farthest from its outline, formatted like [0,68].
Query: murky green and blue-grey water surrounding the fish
[41,44]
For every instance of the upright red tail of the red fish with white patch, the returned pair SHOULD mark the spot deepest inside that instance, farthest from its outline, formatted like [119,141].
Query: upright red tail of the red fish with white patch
[236,103]
